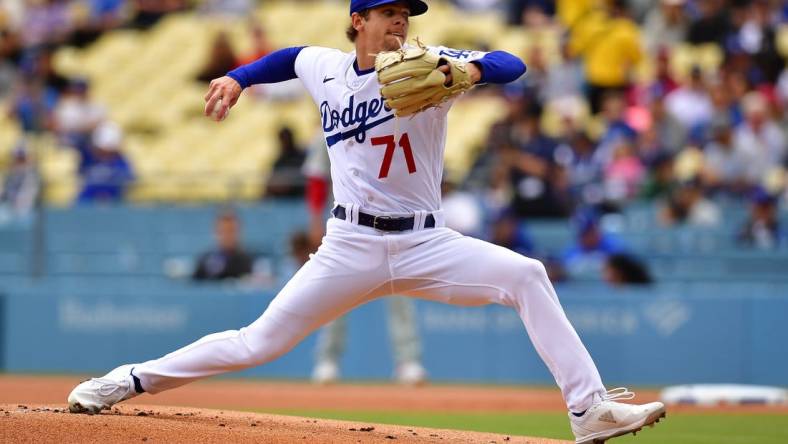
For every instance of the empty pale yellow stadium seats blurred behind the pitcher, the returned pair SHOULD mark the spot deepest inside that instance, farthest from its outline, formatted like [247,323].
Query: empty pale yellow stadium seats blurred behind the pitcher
[146,79]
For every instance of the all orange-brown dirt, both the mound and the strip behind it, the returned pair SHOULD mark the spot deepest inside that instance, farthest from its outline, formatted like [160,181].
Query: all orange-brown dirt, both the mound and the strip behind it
[33,409]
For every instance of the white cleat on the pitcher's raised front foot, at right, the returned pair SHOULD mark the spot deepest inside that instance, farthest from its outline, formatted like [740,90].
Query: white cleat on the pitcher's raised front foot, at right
[607,418]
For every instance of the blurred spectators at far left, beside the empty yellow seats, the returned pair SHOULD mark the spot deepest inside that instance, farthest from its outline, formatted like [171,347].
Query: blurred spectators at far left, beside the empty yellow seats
[43,101]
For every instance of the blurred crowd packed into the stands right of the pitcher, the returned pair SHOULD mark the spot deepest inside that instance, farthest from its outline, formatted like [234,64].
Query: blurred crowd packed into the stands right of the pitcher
[590,132]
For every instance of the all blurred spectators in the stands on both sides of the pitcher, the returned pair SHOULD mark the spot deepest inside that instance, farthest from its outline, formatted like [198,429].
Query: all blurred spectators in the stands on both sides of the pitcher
[614,117]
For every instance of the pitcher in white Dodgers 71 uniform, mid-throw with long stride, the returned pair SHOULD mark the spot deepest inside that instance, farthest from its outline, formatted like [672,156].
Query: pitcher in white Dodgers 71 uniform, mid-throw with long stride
[384,109]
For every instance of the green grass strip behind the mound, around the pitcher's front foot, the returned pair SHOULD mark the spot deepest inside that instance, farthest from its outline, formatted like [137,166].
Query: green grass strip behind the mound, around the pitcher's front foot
[677,428]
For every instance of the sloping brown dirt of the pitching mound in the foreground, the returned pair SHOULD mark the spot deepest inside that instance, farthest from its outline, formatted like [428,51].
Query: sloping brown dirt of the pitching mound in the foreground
[151,424]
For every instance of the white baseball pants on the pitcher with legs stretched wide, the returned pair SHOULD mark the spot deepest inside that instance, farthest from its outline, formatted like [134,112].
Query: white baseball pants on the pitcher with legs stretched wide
[356,264]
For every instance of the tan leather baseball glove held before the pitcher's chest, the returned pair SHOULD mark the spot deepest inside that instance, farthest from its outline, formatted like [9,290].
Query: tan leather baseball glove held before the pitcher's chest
[411,82]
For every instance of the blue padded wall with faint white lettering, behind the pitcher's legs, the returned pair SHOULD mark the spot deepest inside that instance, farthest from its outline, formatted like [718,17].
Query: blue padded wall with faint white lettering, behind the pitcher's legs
[669,334]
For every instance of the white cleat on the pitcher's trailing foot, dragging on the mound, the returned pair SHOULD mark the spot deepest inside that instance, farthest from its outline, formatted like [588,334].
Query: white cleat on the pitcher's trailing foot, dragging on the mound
[97,394]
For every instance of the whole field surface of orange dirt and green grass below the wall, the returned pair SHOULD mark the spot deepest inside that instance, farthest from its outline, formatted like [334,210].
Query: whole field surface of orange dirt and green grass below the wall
[248,410]
